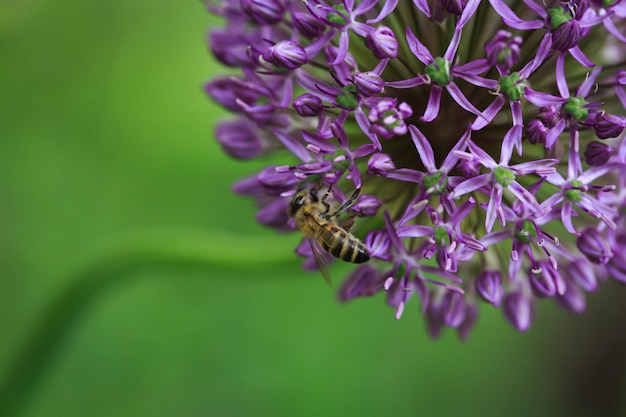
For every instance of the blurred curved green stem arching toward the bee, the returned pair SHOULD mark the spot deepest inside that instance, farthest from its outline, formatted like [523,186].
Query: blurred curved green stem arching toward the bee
[113,262]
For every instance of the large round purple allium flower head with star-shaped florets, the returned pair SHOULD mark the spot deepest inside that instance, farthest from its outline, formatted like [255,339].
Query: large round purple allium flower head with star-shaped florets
[487,139]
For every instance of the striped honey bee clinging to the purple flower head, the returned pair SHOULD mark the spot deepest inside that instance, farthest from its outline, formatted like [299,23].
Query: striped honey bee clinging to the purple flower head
[314,219]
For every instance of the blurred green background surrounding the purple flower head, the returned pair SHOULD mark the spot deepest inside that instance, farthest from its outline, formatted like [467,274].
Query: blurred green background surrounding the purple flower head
[107,139]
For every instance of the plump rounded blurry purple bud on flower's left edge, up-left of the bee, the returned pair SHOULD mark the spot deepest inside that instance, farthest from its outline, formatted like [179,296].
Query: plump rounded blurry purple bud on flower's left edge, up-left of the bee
[239,139]
